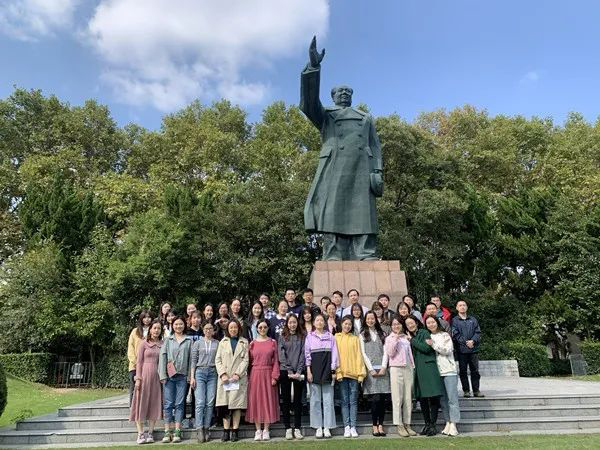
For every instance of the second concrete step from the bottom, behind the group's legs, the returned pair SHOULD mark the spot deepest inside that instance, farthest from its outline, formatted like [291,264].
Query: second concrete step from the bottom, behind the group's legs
[55,422]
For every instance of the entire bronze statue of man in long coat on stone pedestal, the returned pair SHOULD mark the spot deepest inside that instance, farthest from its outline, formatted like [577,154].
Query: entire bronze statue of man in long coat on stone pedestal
[341,200]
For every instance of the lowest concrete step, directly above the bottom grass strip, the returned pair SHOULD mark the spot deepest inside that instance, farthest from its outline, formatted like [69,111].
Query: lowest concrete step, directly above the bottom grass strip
[109,435]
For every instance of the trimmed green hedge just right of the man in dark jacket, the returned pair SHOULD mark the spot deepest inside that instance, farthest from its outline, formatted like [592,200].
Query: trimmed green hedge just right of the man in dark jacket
[532,358]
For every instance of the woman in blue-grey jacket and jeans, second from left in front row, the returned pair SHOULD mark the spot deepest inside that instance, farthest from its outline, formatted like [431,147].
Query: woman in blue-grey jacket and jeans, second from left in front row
[174,369]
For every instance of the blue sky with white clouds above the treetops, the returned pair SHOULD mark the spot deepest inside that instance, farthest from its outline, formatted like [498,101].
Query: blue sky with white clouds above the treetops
[511,57]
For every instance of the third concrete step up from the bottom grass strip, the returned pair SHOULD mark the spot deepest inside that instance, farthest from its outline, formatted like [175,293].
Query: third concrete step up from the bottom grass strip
[479,403]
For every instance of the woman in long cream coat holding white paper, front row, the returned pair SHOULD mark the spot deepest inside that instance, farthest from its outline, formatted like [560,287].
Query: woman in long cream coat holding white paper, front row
[232,367]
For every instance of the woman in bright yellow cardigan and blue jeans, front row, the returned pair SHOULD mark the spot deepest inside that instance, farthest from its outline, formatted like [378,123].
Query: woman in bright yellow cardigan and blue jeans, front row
[350,372]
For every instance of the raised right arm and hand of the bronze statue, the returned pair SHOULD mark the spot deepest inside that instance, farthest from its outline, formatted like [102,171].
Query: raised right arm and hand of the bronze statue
[310,104]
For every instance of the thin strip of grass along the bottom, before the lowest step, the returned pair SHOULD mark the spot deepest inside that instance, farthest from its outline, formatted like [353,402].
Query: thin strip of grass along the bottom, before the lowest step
[580,441]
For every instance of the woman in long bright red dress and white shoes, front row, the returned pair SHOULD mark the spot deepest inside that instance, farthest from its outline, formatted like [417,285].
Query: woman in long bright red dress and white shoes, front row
[263,396]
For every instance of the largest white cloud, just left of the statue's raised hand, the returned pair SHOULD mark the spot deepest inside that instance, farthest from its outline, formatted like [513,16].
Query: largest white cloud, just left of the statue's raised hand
[165,53]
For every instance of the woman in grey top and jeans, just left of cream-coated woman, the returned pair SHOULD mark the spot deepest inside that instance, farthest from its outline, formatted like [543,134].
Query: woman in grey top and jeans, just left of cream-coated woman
[204,379]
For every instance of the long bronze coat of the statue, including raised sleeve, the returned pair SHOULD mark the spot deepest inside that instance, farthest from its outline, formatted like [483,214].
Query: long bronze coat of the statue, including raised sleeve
[340,199]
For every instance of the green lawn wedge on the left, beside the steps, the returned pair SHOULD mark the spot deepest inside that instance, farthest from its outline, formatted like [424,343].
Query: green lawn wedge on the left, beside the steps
[26,399]
